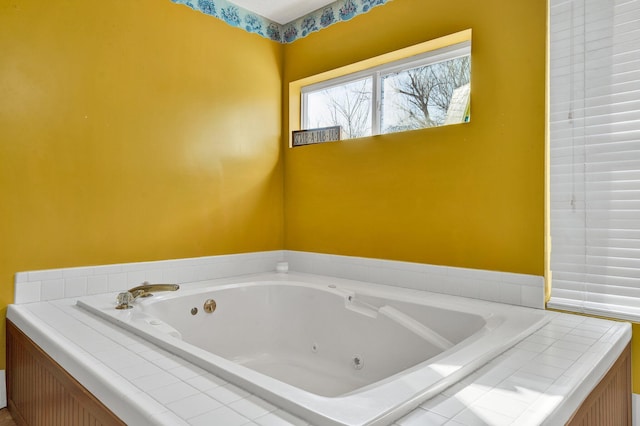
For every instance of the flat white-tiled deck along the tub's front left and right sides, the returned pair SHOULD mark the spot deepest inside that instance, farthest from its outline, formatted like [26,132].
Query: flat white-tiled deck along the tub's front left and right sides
[541,380]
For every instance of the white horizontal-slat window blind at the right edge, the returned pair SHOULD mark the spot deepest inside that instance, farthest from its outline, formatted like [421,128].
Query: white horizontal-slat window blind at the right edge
[595,156]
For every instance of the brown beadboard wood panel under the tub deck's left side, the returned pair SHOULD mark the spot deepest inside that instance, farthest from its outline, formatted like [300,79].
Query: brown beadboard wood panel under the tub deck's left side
[41,393]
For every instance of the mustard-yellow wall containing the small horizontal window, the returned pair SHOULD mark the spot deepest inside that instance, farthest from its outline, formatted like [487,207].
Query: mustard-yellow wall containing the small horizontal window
[468,195]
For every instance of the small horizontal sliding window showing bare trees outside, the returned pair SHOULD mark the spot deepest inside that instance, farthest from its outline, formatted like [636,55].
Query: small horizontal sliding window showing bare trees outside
[427,90]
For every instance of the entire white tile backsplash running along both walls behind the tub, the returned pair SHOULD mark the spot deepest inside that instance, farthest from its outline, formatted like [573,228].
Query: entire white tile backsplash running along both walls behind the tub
[502,287]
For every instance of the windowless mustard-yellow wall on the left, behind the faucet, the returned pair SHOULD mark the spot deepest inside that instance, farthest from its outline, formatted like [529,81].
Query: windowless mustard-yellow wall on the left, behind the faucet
[124,136]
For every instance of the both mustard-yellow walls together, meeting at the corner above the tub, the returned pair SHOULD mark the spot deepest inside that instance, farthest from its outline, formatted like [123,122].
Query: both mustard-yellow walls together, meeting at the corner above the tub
[124,138]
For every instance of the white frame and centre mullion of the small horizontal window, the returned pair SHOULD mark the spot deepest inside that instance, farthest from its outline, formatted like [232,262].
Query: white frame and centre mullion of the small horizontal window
[377,73]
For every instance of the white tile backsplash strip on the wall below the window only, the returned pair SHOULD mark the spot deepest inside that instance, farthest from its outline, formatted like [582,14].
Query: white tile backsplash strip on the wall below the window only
[502,287]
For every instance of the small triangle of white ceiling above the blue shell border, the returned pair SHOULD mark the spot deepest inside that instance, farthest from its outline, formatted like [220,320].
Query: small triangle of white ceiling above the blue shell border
[282,11]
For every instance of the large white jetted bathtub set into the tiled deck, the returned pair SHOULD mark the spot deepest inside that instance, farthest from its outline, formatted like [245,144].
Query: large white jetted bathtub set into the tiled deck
[334,352]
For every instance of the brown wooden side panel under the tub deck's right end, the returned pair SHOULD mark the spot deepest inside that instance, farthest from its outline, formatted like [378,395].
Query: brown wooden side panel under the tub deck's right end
[610,402]
